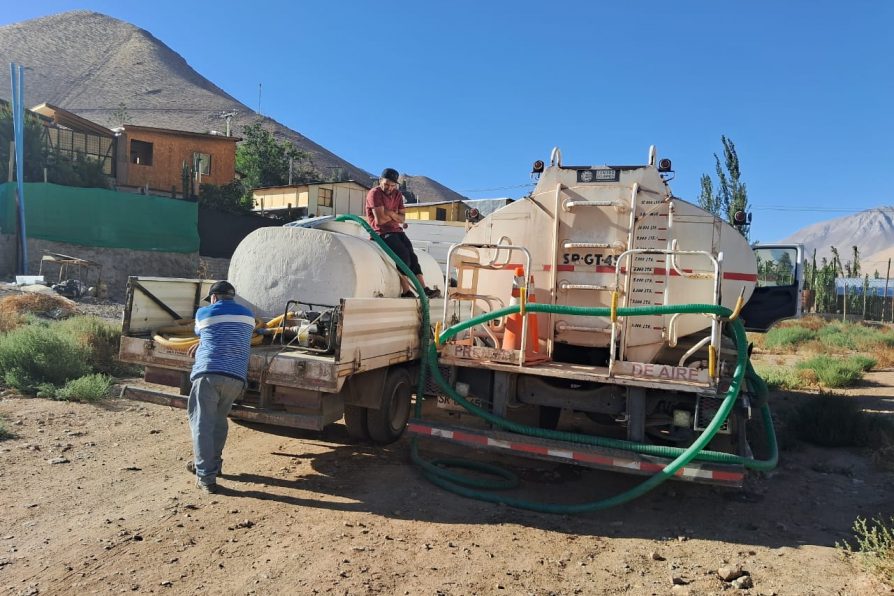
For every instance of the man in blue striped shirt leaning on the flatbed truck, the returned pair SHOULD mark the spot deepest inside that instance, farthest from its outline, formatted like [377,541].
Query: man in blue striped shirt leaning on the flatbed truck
[218,378]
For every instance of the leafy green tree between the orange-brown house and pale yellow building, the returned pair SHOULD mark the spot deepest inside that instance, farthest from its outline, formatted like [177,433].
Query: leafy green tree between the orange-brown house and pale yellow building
[263,161]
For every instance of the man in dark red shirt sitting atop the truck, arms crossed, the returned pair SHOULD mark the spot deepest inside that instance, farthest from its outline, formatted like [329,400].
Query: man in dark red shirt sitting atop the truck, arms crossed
[385,213]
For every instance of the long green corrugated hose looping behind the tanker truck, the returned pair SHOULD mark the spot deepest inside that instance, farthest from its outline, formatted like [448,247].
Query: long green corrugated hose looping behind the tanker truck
[436,472]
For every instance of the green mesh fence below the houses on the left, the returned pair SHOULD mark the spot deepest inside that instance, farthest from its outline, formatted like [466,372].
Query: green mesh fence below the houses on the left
[103,218]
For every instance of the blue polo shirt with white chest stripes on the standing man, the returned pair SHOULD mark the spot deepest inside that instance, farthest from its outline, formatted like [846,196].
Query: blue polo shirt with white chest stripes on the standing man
[225,330]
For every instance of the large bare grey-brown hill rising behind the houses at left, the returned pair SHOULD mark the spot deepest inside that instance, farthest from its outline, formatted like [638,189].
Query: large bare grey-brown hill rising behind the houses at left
[90,64]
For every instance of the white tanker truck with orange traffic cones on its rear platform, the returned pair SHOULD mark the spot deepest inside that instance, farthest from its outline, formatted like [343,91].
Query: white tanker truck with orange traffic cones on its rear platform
[588,236]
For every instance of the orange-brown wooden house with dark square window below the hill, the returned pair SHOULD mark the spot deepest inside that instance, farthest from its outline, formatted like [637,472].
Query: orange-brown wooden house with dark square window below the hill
[154,158]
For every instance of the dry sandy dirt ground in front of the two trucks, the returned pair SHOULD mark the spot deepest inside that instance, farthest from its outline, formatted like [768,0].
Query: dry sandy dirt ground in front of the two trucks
[308,514]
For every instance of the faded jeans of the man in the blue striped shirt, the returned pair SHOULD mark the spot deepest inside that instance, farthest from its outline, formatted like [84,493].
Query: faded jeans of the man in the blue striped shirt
[210,400]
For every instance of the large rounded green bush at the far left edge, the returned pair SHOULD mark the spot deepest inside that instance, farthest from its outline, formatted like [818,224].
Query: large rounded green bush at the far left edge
[38,354]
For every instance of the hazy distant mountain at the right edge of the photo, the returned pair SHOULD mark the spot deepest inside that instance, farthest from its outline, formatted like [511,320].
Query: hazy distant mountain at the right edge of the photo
[872,231]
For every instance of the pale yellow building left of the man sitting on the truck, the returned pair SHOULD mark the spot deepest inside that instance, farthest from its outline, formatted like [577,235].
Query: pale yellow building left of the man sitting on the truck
[312,200]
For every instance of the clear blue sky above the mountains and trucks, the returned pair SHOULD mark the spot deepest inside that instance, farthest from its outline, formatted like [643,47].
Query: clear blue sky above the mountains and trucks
[470,93]
